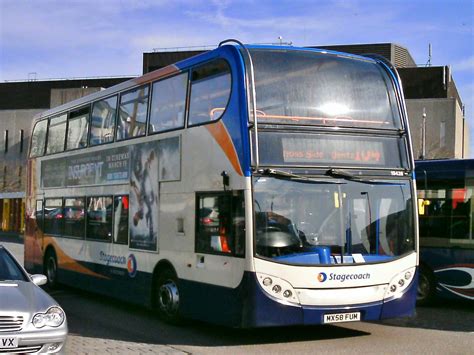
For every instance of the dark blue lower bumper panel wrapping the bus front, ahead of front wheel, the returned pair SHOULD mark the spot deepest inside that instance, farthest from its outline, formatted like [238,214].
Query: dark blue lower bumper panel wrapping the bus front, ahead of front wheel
[249,306]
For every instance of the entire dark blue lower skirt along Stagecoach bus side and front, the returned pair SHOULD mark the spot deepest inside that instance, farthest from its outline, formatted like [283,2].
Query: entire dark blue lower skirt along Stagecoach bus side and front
[245,306]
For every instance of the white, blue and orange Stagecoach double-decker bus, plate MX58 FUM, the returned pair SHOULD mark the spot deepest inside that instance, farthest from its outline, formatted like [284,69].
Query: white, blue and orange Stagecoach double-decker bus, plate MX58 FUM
[247,186]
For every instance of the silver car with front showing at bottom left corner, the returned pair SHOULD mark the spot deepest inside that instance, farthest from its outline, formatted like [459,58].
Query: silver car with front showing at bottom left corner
[30,320]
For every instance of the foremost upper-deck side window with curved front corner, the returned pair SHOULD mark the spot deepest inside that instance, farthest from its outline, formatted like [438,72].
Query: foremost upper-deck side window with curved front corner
[210,91]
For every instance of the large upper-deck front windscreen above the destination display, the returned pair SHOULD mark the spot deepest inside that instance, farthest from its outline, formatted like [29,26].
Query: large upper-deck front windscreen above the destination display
[309,88]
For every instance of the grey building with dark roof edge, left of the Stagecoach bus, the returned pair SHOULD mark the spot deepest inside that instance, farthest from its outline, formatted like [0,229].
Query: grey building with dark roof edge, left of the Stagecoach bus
[19,103]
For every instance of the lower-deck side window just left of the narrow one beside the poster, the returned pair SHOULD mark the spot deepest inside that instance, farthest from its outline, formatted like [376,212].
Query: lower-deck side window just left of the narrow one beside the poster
[99,218]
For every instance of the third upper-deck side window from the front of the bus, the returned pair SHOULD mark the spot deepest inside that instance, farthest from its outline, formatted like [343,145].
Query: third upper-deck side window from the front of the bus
[131,120]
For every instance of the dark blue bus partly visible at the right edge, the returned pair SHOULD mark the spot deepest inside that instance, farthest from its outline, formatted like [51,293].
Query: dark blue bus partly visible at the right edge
[446,218]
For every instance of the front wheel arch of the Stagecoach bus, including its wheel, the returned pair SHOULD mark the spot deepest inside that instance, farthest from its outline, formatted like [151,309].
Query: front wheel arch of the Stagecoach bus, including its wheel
[165,292]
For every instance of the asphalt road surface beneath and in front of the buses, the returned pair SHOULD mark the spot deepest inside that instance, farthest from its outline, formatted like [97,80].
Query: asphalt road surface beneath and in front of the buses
[101,325]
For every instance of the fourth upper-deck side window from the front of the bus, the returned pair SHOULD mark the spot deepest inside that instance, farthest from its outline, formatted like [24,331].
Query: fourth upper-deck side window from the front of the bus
[103,121]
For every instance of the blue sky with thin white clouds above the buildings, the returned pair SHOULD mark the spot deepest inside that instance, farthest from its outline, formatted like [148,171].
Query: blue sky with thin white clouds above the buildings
[97,38]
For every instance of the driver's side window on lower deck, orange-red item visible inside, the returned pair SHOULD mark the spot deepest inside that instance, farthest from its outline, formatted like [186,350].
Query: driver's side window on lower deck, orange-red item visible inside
[220,223]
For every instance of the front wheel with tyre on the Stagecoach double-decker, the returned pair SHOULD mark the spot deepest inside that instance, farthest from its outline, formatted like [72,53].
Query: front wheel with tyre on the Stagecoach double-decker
[167,301]
